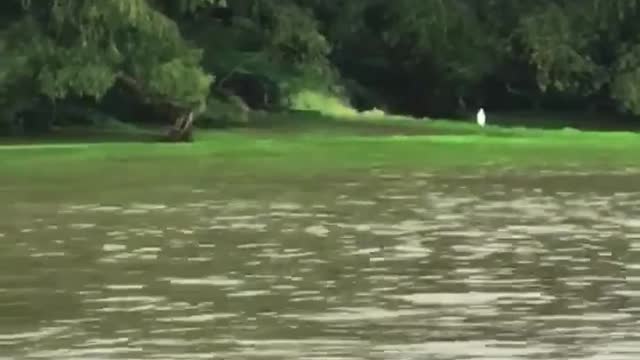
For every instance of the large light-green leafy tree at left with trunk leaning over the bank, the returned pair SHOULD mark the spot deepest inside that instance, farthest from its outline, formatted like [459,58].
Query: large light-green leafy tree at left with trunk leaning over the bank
[61,48]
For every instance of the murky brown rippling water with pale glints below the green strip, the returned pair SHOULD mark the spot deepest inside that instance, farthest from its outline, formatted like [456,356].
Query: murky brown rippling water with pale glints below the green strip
[381,267]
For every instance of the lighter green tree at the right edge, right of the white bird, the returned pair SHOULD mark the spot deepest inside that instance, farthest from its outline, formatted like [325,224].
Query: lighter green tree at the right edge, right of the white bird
[586,49]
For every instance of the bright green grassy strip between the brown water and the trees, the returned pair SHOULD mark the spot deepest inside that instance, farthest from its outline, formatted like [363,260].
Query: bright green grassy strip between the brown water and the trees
[306,145]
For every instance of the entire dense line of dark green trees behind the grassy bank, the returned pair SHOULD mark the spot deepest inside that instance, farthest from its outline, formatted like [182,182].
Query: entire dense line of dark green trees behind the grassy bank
[185,58]
